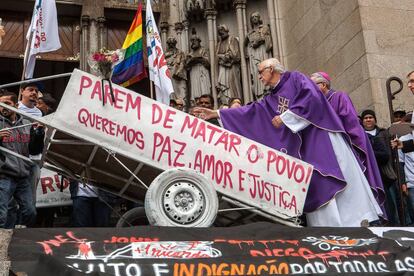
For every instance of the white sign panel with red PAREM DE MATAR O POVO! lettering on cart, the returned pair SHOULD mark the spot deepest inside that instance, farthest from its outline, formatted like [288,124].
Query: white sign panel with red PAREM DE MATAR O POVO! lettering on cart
[158,135]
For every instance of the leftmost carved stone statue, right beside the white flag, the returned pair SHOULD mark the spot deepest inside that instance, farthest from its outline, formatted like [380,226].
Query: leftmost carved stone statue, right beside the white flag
[176,62]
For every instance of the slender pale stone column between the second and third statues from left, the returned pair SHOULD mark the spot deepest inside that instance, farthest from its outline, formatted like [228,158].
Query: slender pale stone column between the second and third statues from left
[211,28]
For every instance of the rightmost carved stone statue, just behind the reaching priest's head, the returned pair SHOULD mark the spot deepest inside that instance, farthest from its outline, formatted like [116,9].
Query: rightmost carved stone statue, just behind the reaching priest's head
[259,47]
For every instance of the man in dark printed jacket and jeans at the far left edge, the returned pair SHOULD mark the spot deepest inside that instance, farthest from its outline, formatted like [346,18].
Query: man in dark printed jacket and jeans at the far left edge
[17,135]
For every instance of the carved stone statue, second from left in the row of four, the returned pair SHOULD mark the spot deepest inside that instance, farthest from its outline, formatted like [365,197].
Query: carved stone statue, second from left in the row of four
[198,65]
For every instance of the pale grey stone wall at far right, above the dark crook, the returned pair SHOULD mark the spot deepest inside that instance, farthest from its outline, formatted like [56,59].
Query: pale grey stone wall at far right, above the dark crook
[389,40]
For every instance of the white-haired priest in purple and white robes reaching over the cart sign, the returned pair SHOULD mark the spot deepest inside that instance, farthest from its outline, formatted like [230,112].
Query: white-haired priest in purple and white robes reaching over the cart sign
[296,118]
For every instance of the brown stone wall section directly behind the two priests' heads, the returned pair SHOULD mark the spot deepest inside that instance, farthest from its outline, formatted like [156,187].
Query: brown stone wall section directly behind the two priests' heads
[327,36]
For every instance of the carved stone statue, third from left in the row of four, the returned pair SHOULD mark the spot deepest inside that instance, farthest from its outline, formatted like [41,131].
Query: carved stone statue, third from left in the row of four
[228,55]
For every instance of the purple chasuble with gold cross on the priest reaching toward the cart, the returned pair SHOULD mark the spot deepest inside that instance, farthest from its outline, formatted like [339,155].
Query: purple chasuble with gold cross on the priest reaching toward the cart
[301,96]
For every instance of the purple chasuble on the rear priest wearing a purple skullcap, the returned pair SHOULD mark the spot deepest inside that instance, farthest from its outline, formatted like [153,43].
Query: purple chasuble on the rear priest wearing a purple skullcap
[344,108]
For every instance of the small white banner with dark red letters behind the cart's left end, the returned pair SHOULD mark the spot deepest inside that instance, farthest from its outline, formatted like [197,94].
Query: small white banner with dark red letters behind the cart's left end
[48,192]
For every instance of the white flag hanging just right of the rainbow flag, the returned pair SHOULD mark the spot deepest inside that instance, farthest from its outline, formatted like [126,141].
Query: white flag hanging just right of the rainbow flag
[159,72]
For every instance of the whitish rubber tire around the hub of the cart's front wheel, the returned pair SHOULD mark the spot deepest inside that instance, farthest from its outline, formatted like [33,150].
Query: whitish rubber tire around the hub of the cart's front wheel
[153,199]
